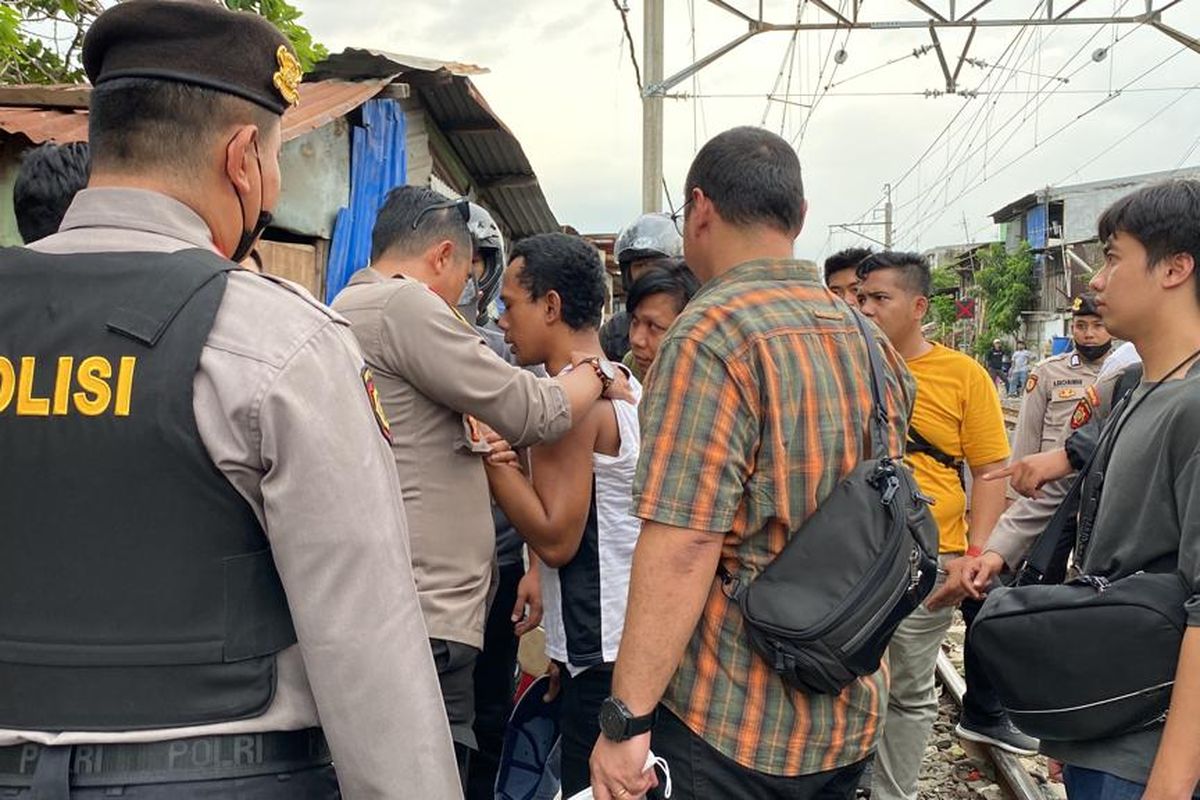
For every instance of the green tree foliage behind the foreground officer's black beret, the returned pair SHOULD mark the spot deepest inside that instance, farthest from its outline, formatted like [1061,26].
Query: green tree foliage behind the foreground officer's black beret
[40,40]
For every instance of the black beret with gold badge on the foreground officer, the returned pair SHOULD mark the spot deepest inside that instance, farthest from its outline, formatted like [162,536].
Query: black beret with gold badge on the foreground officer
[196,43]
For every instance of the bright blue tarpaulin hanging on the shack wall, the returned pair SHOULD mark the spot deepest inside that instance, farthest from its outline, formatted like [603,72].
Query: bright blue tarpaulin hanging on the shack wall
[379,165]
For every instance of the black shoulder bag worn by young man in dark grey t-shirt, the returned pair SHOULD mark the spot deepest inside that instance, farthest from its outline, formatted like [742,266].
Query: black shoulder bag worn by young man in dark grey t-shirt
[1039,641]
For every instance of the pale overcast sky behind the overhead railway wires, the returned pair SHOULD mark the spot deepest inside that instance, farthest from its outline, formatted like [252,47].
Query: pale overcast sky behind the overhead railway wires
[562,80]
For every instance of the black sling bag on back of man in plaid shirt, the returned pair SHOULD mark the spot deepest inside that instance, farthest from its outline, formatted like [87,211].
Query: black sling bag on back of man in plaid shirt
[825,610]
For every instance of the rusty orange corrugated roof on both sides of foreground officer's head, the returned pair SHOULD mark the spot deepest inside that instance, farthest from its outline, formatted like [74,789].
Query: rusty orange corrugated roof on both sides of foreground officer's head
[321,104]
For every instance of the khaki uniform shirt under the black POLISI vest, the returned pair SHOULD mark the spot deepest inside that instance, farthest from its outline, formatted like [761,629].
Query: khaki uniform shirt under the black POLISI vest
[281,408]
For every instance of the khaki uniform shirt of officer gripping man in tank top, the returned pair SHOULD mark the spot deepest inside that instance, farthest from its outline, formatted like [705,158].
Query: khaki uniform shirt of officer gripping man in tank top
[436,376]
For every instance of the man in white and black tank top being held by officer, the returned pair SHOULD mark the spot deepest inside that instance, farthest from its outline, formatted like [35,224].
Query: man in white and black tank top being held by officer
[577,515]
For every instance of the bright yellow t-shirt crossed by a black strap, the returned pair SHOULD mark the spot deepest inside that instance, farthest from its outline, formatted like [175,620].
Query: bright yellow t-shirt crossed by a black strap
[958,412]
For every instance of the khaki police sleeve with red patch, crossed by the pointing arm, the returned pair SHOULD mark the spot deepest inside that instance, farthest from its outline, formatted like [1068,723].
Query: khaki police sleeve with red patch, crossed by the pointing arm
[1027,519]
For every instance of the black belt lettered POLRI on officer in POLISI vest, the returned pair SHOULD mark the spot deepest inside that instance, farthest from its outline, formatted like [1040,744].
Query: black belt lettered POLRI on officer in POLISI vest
[205,759]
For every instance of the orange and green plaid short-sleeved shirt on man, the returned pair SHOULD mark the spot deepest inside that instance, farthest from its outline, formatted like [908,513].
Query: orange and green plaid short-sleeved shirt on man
[757,407]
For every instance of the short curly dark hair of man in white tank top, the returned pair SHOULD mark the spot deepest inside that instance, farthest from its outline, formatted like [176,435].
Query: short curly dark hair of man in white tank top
[571,267]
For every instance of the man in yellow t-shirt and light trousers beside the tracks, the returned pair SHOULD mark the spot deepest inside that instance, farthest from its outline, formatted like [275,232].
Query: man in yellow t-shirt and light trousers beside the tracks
[957,422]
